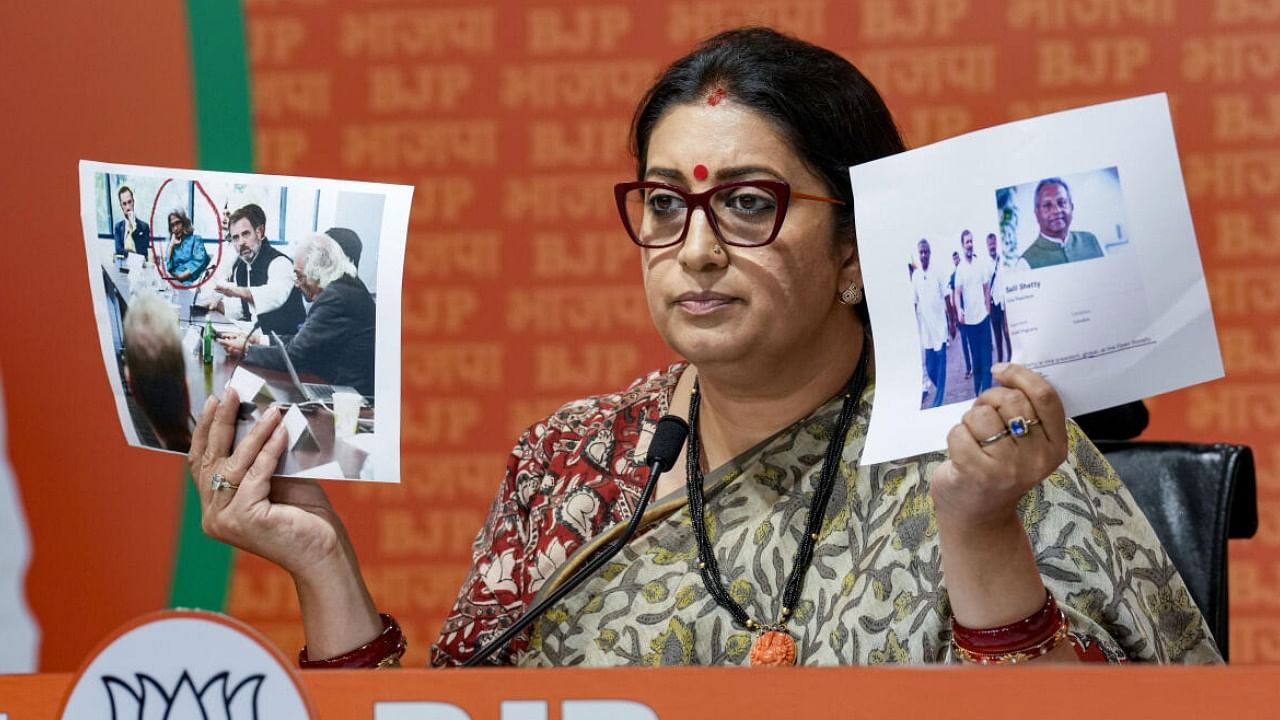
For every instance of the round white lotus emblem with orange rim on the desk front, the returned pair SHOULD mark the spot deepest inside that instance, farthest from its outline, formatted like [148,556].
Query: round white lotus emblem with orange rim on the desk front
[175,667]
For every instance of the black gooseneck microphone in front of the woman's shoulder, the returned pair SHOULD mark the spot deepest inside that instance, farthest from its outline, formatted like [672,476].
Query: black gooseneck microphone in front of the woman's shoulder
[669,439]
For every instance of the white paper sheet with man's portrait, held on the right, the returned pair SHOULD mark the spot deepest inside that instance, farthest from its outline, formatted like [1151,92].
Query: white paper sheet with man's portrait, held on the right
[1091,258]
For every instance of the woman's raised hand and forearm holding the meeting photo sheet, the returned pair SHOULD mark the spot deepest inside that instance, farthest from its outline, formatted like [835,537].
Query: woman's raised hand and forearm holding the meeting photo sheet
[286,521]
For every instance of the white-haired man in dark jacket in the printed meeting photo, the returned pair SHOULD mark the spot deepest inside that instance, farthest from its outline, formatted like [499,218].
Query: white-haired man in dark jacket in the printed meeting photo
[336,343]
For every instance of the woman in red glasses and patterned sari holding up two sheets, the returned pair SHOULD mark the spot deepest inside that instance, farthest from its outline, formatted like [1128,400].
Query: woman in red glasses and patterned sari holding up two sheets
[1018,544]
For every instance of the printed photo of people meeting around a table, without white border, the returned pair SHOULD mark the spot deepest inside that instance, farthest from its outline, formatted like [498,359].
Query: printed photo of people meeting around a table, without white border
[266,306]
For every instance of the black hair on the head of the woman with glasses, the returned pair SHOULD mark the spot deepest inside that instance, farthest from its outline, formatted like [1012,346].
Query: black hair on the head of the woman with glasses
[830,113]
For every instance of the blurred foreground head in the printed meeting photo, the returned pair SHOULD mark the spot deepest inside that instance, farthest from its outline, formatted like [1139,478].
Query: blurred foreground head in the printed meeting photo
[156,370]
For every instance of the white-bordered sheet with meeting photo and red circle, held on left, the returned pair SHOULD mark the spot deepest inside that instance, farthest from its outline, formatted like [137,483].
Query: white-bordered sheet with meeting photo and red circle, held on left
[286,290]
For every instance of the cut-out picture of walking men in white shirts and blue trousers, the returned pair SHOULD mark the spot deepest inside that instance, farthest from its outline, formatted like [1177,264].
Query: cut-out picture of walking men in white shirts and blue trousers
[961,317]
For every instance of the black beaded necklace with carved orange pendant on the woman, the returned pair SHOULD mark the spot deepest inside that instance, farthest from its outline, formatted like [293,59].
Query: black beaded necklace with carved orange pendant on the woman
[774,645]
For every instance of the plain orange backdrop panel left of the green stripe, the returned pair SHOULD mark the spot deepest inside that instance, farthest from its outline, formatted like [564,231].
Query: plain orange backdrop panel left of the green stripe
[81,84]
